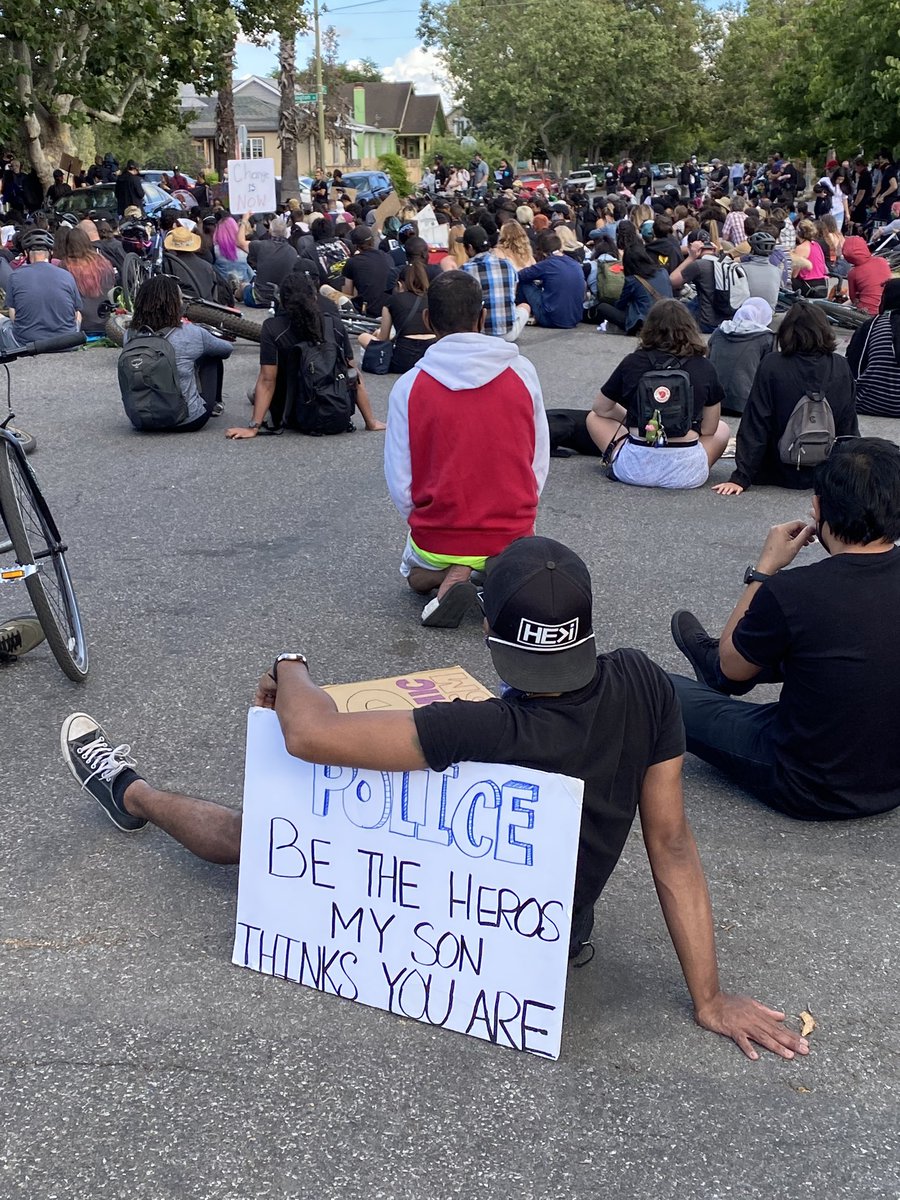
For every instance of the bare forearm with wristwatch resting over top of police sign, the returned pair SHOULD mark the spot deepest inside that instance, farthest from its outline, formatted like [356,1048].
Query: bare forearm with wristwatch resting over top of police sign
[315,730]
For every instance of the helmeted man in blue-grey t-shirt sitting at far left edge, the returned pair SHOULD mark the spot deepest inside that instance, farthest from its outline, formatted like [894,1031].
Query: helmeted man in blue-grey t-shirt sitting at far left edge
[43,299]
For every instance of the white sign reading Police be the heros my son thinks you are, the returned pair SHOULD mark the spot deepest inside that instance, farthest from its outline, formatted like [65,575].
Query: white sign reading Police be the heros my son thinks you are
[446,898]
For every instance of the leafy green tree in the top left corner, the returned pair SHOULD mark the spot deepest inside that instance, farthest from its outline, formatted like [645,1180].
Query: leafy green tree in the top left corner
[98,62]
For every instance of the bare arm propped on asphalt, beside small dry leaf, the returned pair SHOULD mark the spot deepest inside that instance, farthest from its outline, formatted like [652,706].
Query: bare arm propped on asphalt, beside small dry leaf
[685,899]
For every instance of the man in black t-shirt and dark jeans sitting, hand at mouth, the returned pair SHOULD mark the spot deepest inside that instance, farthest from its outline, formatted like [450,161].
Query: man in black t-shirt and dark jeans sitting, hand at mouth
[827,749]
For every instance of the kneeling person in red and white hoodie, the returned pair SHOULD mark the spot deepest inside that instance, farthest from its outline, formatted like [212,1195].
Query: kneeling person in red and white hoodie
[467,451]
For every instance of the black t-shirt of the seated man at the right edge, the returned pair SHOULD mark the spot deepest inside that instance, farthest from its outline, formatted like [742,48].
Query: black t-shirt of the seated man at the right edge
[830,629]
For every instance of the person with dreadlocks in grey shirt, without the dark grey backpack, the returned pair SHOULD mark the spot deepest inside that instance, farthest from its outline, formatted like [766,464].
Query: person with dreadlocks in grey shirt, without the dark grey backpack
[200,355]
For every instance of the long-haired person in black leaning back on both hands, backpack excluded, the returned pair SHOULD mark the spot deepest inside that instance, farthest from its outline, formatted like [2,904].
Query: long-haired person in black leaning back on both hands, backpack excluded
[304,317]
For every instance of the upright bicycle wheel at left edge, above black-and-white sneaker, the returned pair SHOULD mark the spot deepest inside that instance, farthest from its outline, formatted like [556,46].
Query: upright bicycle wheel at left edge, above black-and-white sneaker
[51,590]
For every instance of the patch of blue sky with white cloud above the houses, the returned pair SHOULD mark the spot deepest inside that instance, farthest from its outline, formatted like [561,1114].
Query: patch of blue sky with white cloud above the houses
[383,31]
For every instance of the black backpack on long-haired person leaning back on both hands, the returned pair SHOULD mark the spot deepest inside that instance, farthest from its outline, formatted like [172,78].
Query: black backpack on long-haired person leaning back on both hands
[319,399]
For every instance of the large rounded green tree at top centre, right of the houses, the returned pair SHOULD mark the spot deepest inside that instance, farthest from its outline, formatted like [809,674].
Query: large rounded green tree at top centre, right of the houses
[633,73]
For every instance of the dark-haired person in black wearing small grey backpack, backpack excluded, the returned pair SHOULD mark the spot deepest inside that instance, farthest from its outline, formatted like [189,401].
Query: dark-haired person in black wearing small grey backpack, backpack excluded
[805,363]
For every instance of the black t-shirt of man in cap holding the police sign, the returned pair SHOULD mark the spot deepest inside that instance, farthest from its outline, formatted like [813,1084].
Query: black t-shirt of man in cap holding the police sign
[608,734]
